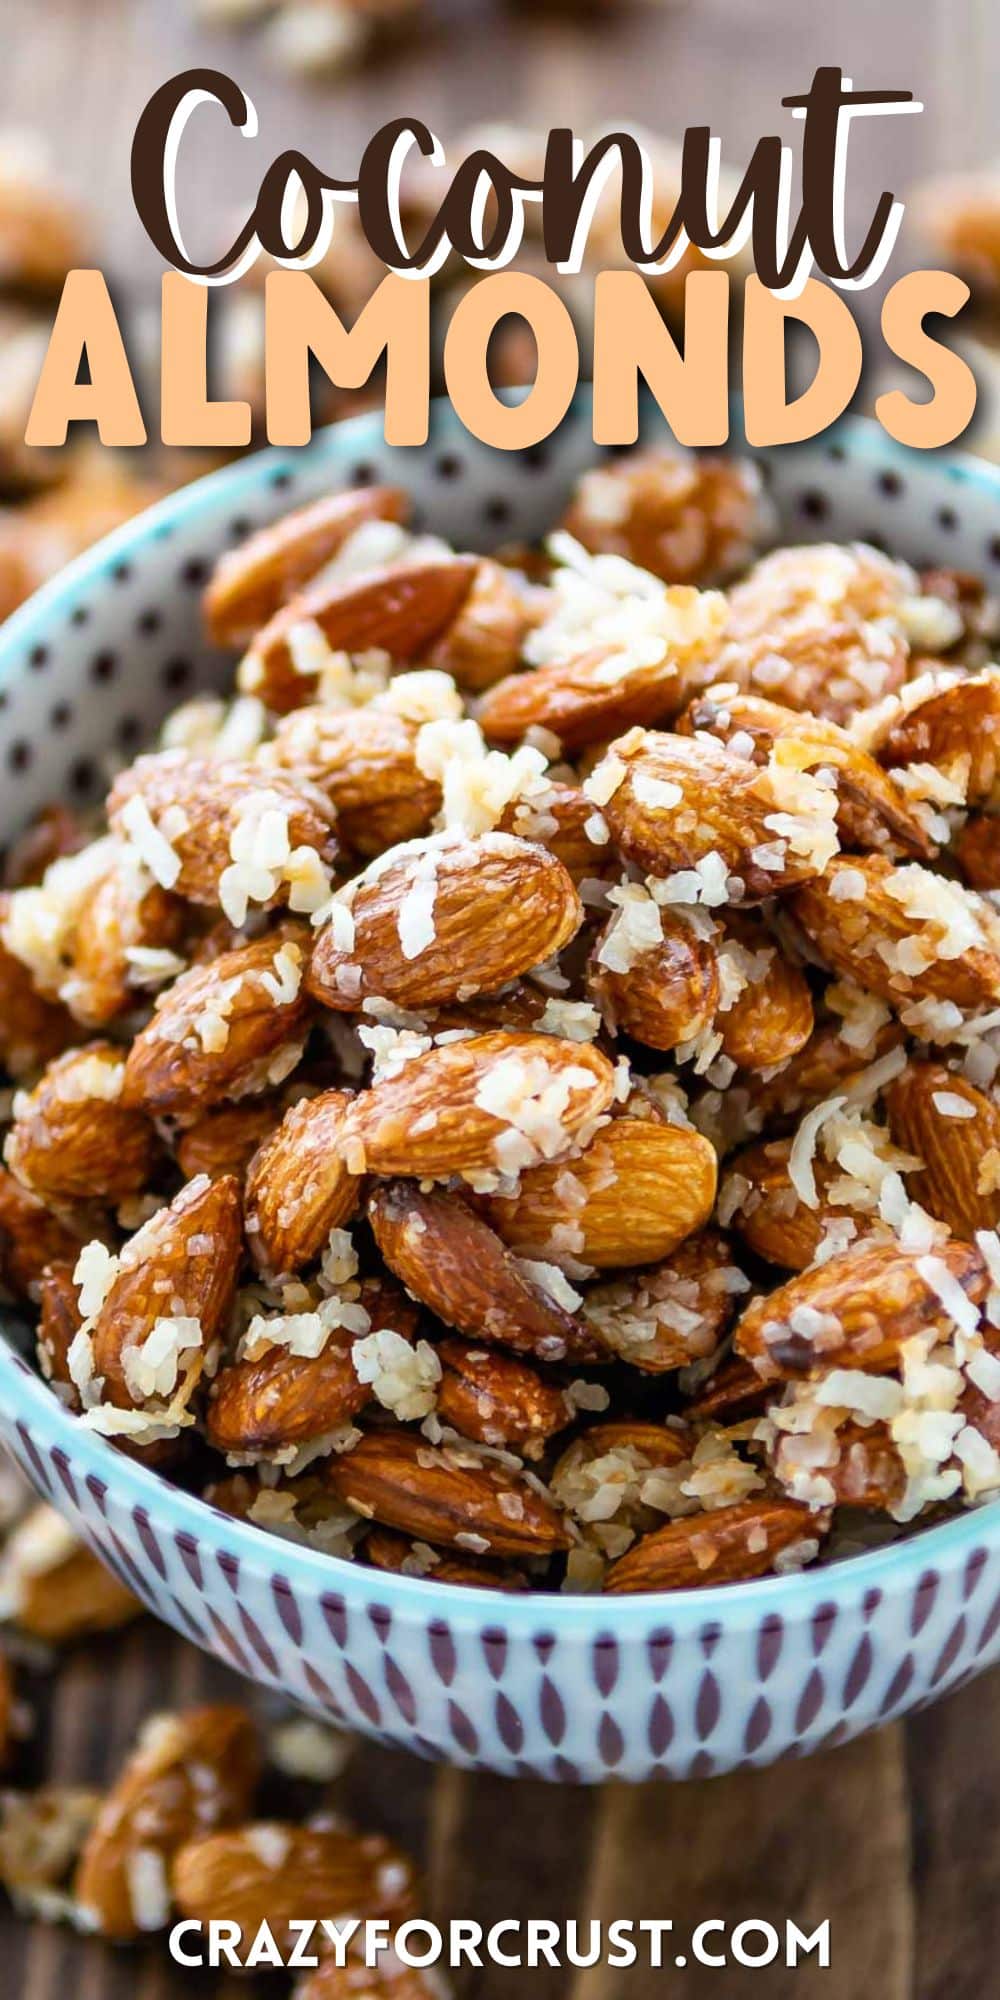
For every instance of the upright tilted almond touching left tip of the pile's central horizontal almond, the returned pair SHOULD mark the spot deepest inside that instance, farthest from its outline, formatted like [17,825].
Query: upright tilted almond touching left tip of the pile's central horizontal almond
[299,1187]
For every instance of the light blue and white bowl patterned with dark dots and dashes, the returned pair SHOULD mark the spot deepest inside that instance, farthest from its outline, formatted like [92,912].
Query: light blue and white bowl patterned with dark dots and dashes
[555,1687]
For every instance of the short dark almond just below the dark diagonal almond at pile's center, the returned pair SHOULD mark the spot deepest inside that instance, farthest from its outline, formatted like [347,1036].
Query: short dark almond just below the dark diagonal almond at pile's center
[499,1399]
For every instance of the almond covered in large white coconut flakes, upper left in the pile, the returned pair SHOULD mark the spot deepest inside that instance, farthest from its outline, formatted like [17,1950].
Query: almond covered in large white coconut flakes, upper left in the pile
[205,827]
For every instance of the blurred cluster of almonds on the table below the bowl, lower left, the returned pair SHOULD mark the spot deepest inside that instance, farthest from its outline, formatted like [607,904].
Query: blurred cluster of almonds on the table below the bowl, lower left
[177,1837]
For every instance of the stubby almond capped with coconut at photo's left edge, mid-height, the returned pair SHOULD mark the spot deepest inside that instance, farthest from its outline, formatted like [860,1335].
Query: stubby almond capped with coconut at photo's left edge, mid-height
[73,1135]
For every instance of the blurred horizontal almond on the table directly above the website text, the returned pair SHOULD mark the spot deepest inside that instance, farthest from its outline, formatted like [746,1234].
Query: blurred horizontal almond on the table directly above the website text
[289,1875]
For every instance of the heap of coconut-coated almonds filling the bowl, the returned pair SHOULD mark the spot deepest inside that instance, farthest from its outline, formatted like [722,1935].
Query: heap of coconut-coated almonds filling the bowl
[509,1097]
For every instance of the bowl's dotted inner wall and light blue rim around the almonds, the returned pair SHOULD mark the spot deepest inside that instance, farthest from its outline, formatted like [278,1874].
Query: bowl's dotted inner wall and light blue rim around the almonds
[101,655]
